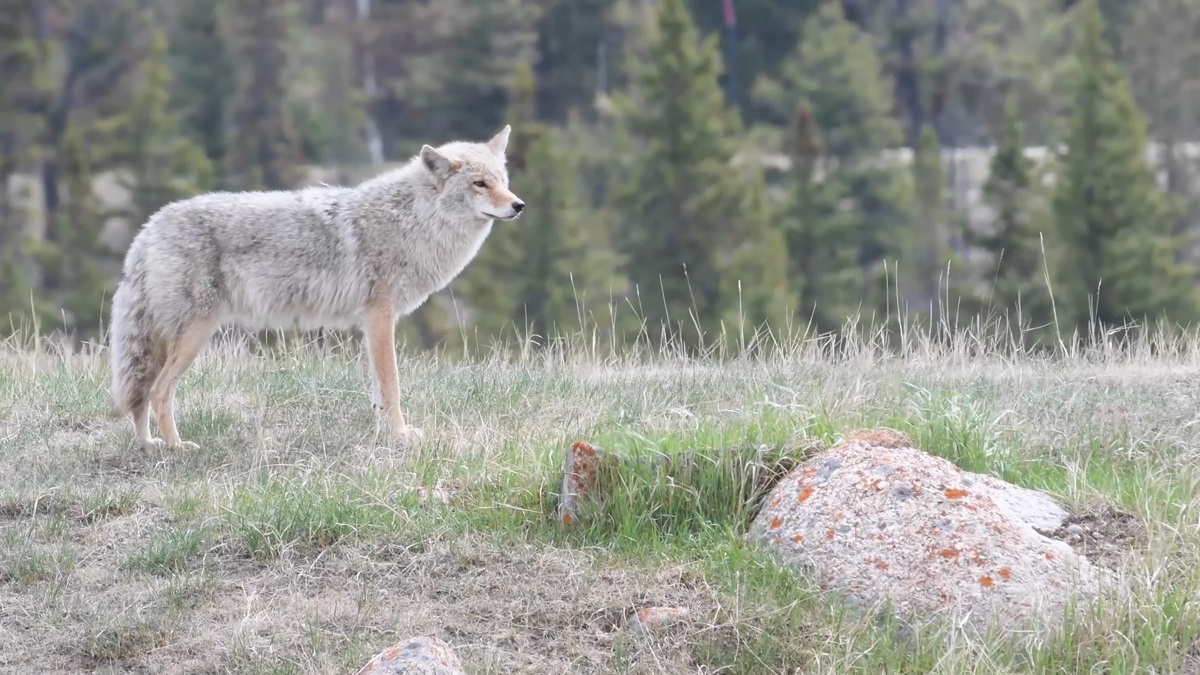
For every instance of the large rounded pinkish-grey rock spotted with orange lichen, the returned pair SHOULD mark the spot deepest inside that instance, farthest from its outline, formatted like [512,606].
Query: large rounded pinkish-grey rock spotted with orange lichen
[880,521]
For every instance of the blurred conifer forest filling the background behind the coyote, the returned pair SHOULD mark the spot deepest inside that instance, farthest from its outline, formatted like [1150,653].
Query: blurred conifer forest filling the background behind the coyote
[694,170]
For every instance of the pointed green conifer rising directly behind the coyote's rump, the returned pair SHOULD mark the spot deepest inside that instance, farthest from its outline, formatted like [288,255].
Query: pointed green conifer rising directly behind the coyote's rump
[164,165]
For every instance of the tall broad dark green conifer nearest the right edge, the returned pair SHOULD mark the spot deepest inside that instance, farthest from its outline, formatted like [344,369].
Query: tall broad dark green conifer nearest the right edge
[1115,223]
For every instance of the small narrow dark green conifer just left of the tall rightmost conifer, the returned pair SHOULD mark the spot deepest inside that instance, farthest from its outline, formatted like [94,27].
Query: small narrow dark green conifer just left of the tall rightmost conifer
[1015,241]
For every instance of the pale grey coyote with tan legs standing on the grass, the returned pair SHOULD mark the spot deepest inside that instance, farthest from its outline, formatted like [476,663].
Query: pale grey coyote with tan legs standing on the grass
[317,258]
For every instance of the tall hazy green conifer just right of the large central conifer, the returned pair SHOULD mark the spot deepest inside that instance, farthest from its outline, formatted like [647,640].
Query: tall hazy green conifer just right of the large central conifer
[868,204]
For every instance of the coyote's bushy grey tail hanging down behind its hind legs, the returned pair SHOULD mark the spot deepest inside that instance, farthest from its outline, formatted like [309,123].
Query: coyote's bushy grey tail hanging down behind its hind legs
[134,344]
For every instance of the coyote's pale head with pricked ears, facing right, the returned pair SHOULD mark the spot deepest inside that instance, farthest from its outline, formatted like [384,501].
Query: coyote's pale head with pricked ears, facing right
[472,180]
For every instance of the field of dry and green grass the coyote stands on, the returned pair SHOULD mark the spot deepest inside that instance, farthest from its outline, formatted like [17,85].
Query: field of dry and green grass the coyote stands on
[295,541]
